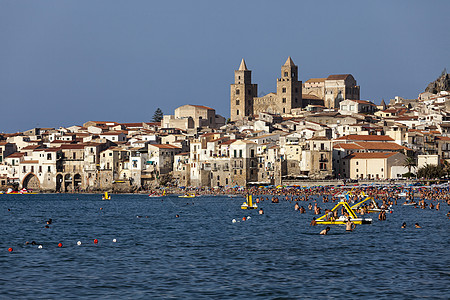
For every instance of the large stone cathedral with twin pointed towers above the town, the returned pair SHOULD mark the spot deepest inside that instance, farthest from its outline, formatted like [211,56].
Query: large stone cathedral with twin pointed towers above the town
[290,94]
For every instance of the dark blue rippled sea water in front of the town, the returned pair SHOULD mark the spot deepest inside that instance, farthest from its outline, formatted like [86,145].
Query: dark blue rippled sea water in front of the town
[203,255]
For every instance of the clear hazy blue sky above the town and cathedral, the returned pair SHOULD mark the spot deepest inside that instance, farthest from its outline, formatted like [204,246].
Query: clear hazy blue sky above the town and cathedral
[63,63]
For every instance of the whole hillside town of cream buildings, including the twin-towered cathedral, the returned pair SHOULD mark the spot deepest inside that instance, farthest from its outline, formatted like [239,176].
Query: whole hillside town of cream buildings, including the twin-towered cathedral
[319,130]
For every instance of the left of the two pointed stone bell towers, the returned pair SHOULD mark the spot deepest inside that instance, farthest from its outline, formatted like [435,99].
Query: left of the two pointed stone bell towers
[242,93]
